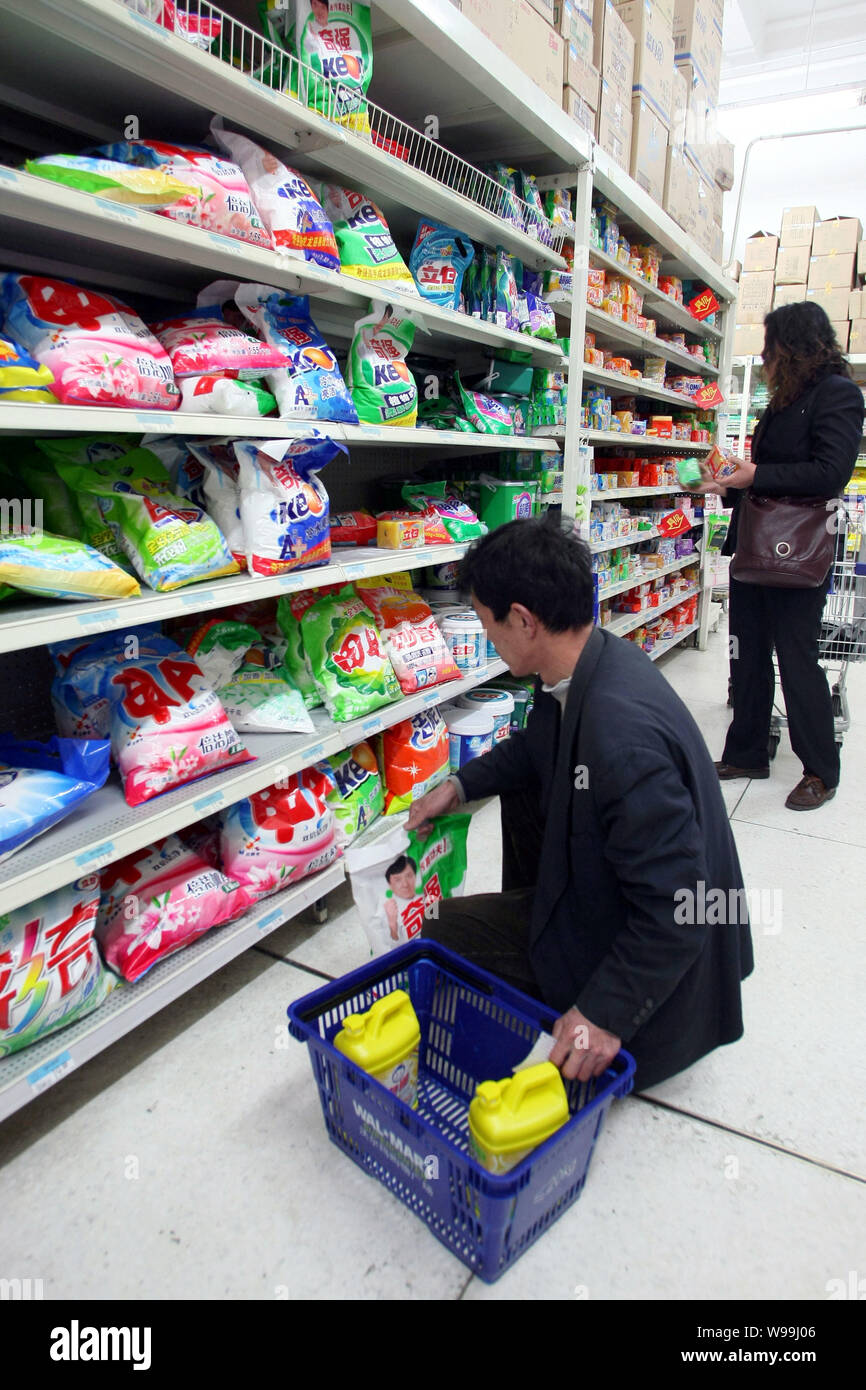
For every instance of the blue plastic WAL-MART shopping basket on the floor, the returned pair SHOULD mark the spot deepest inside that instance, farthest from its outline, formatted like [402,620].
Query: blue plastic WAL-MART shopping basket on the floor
[473,1029]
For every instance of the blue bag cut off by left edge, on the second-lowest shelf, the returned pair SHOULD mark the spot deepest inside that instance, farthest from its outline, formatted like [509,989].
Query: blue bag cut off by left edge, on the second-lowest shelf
[42,783]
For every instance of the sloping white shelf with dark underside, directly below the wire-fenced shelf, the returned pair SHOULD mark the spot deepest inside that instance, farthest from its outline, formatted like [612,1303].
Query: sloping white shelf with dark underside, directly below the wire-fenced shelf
[156,255]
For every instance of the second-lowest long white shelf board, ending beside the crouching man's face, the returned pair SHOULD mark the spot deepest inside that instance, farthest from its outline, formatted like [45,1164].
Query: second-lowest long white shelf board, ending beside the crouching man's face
[106,829]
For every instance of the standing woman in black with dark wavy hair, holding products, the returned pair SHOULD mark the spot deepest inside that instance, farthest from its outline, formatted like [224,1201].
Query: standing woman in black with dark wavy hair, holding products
[806,445]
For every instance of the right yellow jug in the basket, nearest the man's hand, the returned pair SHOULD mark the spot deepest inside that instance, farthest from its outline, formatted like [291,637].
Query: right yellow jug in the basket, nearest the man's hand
[508,1120]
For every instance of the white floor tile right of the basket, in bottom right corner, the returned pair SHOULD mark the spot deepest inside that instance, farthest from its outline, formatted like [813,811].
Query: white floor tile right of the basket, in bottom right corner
[661,1218]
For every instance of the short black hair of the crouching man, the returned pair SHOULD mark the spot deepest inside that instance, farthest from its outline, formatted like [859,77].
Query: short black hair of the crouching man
[540,564]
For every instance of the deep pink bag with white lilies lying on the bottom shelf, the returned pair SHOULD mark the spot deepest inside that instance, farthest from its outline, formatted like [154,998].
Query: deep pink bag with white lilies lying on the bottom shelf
[159,900]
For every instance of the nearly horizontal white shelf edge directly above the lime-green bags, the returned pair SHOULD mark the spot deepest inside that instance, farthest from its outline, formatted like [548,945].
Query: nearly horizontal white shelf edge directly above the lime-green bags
[19,418]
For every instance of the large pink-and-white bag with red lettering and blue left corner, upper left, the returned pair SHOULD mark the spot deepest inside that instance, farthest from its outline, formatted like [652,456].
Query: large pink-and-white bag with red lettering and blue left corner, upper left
[97,348]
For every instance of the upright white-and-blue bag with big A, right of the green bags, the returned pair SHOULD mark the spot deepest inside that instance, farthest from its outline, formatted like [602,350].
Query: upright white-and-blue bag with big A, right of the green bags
[284,507]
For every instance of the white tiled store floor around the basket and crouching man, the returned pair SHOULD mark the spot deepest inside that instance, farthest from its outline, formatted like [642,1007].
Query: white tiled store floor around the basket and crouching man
[191,1159]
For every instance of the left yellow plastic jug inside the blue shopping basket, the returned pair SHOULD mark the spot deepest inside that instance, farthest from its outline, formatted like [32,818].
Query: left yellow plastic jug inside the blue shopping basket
[386,1042]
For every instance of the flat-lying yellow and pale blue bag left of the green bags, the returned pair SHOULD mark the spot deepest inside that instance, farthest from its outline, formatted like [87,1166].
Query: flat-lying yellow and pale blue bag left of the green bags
[59,569]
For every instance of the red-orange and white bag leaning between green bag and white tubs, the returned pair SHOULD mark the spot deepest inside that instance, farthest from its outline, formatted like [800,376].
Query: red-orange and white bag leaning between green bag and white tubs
[419,653]
